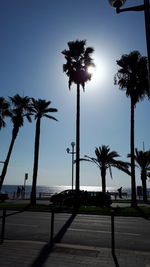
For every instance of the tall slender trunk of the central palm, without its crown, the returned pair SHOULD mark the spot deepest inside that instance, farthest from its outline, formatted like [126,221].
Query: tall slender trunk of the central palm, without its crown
[78,141]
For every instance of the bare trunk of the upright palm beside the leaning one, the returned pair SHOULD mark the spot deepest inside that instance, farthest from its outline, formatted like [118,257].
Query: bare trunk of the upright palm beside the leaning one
[36,158]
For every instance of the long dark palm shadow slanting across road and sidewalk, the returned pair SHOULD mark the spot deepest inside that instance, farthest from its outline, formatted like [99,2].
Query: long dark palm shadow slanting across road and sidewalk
[47,249]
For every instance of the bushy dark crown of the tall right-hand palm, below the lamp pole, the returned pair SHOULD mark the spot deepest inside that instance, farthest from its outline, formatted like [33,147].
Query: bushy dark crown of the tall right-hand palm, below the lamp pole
[132,76]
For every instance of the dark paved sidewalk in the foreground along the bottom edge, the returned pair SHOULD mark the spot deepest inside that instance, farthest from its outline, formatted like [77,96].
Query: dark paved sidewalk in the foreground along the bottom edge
[24,253]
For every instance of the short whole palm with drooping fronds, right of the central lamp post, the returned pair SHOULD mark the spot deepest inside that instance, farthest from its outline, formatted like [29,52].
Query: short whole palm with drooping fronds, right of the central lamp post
[105,159]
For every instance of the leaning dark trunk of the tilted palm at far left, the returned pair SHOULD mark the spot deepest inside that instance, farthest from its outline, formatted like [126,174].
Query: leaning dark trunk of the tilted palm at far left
[6,162]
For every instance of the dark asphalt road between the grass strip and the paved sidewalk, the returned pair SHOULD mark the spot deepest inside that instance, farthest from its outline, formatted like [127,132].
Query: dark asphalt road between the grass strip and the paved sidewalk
[90,230]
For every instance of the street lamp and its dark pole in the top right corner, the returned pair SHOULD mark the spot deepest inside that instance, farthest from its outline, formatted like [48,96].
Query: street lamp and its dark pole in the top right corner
[146,8]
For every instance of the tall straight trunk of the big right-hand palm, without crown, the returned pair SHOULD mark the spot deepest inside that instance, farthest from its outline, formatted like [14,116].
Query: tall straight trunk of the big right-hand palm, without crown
[133,182]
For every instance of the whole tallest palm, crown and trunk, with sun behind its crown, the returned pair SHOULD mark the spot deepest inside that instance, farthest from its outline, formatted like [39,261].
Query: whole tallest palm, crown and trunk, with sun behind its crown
[78,60]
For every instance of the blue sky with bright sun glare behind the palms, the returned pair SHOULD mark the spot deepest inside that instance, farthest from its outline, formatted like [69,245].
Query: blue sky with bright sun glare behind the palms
[32,35]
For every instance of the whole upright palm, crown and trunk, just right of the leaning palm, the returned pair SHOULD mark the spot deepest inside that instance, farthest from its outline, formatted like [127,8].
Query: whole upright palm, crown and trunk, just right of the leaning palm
[40,108]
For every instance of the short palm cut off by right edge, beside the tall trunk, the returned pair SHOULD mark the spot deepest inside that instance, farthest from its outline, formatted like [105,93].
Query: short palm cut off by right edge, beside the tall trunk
[142,158]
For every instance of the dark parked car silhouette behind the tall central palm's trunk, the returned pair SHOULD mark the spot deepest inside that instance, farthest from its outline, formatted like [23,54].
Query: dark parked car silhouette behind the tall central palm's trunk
[87,198]
